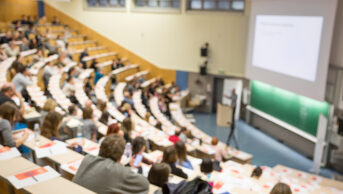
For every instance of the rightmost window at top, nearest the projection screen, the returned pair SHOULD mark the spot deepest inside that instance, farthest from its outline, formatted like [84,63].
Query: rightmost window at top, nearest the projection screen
[216,5]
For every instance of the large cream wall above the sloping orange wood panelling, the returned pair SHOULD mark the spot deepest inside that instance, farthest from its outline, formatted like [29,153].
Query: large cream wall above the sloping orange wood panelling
[171,40]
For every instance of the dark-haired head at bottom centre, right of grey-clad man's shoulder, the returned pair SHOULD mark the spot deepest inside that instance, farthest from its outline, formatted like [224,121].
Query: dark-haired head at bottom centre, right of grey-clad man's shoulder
[159,174]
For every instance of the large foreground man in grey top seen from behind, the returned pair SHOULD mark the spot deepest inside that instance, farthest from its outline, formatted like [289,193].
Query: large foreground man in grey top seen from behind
[104,173]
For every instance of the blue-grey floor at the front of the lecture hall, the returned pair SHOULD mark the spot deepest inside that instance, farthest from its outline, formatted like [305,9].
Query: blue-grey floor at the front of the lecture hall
[266,150]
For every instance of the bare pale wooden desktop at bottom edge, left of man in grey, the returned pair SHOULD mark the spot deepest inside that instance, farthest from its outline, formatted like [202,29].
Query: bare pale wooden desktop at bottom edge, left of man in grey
[57,186]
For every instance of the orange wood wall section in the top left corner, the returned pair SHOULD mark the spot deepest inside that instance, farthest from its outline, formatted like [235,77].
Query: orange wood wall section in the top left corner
[13,9]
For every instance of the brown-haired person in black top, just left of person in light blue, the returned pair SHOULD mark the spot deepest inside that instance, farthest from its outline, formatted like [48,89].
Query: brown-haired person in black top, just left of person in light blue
[170,157]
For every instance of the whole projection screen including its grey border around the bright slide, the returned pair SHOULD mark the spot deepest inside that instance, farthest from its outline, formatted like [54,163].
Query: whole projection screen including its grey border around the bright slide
[289,44]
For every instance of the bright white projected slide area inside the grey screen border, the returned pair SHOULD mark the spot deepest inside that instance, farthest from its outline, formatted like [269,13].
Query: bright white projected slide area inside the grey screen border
[288,44]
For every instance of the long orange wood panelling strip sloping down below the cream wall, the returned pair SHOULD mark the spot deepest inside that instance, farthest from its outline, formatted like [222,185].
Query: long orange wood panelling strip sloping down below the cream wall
[167,74]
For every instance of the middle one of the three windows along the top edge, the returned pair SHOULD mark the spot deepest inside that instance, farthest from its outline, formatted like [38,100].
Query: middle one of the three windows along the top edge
[158,3]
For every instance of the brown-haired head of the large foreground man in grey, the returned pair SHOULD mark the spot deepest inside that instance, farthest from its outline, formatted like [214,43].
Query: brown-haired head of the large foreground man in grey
[112,147]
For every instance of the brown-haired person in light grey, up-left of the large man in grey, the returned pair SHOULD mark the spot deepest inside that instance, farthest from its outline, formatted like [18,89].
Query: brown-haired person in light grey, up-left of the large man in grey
[89,129]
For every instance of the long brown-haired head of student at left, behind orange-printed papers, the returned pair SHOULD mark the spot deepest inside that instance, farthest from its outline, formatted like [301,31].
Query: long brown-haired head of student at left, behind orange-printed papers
[51,123]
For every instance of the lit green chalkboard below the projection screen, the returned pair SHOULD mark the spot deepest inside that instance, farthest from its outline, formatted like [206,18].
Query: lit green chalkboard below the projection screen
[296,110]
